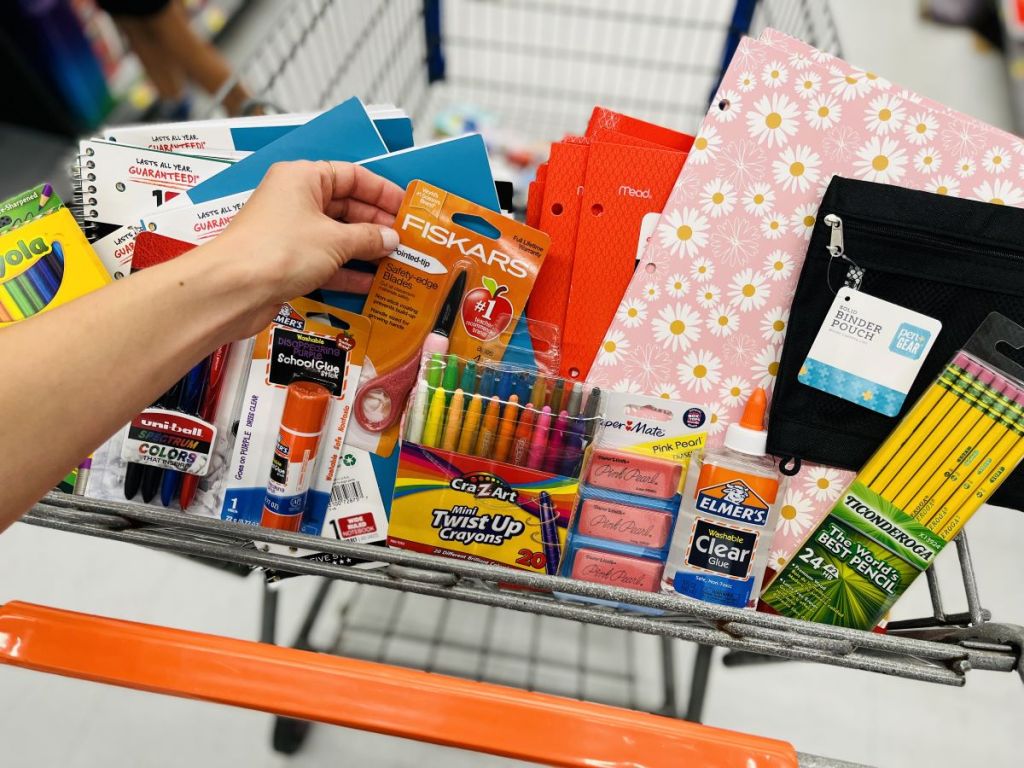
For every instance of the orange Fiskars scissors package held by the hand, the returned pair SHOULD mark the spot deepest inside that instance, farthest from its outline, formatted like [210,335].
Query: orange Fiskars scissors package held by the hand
[457,284]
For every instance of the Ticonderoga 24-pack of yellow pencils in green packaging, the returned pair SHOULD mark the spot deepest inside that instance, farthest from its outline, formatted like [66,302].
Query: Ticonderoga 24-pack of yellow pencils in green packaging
[958,444]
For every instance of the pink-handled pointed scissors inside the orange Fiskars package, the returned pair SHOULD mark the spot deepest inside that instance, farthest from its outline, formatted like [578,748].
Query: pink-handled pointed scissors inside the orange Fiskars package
[378,404]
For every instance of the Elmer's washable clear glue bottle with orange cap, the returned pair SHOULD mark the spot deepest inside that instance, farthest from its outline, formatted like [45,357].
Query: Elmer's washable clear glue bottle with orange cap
[728,518]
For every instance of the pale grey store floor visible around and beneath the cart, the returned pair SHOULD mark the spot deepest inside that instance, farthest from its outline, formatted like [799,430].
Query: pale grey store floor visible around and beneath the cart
[48,720]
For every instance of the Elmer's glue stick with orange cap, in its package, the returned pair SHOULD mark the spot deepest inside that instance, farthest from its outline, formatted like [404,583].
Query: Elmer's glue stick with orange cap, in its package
[295,455]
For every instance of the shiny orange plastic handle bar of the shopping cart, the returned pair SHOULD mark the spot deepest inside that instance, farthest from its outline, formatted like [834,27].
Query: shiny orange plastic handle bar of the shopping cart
[371,697]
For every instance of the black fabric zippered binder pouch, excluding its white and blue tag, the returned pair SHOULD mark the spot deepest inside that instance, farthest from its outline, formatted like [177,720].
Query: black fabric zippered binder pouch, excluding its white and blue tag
[952,260]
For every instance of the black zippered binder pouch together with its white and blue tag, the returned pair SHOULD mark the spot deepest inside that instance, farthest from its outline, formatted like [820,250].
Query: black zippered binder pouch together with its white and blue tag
[952,261]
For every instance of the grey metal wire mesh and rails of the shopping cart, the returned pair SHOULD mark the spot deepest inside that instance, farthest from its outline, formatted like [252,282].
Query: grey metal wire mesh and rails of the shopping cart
[538,67]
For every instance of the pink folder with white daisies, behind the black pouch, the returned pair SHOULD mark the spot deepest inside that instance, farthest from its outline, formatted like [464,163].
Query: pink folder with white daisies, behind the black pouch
[706,314]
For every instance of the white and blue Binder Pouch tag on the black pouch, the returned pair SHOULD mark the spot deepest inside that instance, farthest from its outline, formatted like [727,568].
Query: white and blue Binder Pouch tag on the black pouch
[869,352]
